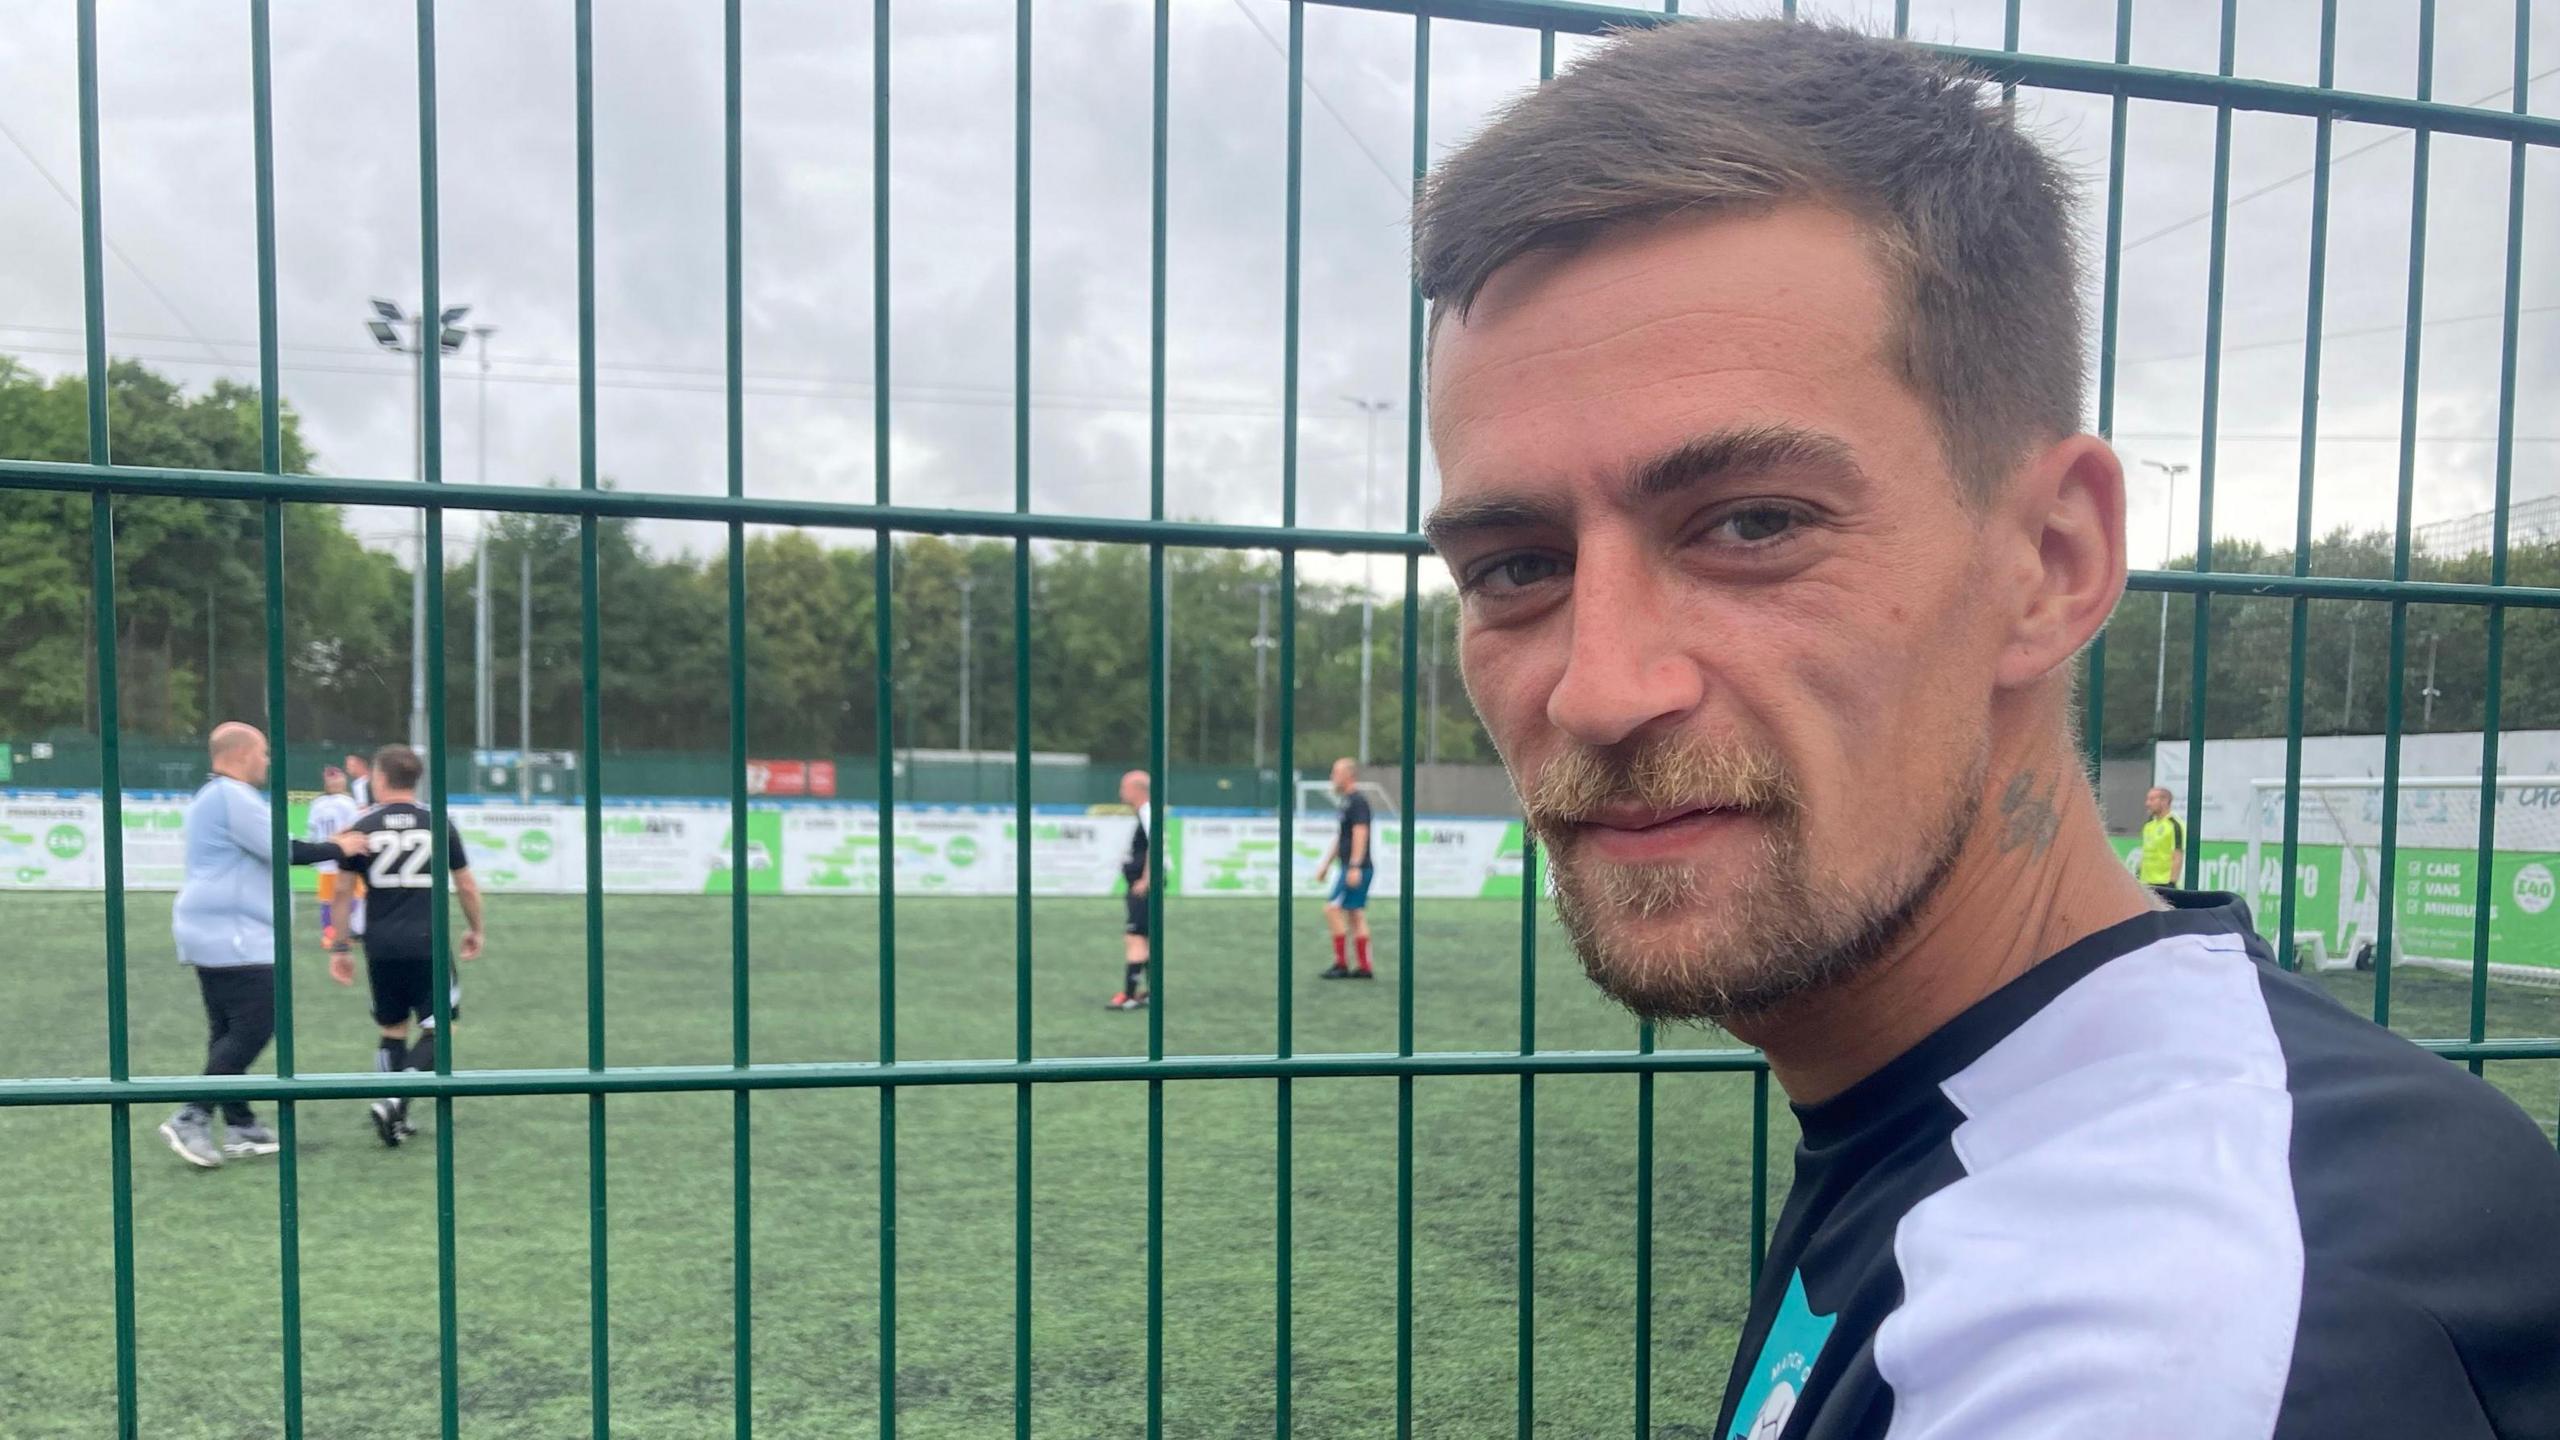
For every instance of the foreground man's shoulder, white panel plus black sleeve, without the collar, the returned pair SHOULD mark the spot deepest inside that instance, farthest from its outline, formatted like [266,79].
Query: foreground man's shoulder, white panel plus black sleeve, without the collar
[2190,1165]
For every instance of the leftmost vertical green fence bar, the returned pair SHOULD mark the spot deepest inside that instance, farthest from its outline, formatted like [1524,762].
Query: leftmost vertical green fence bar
[111,780]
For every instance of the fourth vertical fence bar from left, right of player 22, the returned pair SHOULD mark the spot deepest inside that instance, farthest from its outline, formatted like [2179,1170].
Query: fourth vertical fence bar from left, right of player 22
[593,742]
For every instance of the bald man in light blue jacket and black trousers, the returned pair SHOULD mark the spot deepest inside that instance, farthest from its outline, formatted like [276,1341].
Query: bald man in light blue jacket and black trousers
[227,931]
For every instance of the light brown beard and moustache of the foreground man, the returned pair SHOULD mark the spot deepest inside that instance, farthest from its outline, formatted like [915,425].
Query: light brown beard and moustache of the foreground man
[1658,942]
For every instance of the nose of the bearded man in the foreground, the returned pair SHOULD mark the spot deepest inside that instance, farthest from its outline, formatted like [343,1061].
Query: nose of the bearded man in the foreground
[1627,670]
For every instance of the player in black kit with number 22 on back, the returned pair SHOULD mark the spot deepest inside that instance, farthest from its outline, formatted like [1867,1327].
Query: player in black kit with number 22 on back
[401,926]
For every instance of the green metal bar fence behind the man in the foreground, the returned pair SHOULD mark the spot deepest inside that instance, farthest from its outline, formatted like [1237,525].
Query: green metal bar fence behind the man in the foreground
[106,483]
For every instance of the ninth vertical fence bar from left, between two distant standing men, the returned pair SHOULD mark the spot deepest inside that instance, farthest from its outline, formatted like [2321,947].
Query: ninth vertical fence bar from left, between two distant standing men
[1284,983]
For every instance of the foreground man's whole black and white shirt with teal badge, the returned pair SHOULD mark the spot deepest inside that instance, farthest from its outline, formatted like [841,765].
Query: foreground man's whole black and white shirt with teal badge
[2159,1190]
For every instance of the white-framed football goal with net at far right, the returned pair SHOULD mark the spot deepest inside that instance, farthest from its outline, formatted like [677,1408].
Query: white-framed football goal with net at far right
[2341,885]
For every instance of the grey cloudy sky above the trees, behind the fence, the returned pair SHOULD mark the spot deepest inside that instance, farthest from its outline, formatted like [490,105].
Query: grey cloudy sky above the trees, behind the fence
[183,278]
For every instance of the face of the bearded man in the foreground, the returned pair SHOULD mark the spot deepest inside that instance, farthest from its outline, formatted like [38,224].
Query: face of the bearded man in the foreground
[1716,601]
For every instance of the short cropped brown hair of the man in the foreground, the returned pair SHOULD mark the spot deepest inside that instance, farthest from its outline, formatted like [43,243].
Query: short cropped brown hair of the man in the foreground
[1972,222]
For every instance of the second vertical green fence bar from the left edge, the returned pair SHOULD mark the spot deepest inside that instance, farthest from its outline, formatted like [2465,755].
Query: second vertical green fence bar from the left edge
[273,537]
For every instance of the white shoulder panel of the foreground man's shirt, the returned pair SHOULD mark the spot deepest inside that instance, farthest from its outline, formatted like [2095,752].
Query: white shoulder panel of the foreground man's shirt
[2124,1216]
